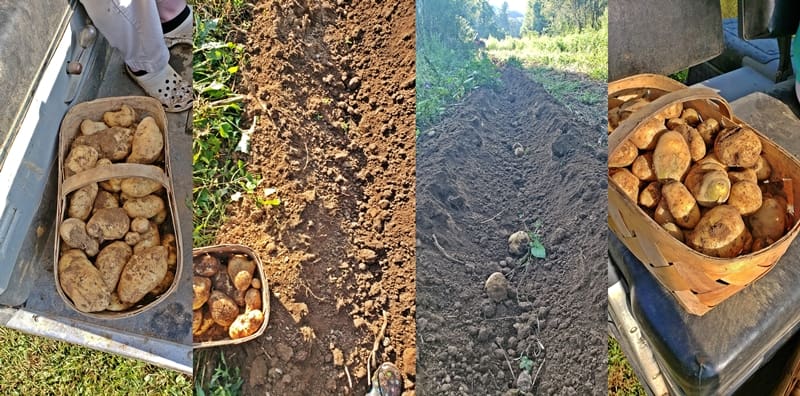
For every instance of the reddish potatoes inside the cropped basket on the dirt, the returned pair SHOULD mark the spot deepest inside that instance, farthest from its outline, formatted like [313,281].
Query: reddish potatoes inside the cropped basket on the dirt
[227,299]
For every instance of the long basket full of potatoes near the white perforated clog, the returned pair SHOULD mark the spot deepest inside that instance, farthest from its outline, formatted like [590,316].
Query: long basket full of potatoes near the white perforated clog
[118,247]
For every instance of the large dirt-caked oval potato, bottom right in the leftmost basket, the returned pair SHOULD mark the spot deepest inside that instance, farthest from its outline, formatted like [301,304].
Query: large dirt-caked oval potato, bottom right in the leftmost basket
[143,272]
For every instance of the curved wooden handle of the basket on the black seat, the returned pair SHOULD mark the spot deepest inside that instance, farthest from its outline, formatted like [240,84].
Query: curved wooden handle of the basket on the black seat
[627,127]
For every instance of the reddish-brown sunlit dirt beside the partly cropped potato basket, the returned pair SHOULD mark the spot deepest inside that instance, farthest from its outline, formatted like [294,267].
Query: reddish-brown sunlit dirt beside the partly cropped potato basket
[338,251]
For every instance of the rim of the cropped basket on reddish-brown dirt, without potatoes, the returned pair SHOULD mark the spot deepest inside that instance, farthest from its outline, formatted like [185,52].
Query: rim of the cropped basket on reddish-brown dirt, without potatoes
[230,250]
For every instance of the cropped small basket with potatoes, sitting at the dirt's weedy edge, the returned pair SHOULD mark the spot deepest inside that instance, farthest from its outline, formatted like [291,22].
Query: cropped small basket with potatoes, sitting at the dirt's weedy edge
[230,296]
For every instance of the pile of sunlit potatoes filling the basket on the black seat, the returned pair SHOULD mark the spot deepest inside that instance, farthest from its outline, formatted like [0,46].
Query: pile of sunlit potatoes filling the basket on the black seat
[706,184]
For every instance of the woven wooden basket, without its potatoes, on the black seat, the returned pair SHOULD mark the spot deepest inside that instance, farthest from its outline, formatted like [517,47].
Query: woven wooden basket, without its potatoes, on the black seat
[699,282]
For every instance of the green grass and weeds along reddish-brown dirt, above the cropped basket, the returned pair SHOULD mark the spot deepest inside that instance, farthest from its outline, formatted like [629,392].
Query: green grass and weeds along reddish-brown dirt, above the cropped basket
[219,175]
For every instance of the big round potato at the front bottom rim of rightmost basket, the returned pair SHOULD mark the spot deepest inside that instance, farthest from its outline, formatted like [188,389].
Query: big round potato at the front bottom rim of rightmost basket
[720,233]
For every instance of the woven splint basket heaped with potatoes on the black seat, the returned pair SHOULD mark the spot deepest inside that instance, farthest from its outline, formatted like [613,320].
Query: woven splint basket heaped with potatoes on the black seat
[700,197]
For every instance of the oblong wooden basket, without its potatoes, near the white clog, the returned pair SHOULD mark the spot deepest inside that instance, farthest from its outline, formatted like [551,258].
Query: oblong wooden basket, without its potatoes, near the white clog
[70,128]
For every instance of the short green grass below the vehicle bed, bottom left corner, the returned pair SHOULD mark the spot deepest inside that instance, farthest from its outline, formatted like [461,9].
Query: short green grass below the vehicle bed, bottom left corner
[39,366]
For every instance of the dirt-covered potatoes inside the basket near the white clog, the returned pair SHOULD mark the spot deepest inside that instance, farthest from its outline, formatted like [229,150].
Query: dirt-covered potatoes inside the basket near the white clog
[117,246]
